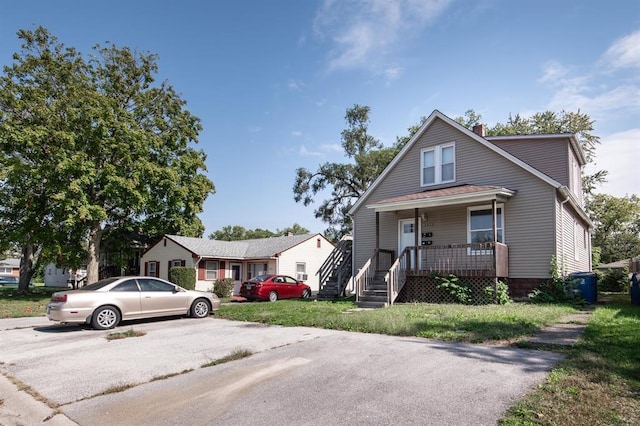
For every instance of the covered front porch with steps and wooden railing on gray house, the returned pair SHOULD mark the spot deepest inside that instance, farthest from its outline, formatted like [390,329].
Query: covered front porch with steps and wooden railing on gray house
[471,250]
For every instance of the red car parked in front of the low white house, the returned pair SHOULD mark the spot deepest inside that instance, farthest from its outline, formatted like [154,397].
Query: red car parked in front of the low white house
[274,287]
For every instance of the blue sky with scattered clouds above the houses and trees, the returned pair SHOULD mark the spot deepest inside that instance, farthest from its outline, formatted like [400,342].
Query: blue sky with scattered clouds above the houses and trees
[271,80]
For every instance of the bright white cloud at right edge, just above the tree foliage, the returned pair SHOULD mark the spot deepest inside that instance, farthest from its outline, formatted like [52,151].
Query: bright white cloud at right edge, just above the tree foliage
[619,154]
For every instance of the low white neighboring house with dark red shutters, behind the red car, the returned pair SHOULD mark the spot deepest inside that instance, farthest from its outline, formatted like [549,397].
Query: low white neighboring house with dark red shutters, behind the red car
[299,256]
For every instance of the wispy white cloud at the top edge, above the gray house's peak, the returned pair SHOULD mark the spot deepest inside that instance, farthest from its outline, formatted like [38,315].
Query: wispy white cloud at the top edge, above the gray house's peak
[363,33]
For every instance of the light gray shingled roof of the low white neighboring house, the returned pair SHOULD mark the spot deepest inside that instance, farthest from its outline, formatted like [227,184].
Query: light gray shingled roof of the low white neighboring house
[260,248]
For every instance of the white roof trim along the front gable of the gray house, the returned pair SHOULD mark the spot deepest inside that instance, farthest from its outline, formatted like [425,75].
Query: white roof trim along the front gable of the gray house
[428,122]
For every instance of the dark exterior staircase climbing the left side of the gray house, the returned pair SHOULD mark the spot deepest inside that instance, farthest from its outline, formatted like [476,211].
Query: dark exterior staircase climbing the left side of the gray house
[335,272]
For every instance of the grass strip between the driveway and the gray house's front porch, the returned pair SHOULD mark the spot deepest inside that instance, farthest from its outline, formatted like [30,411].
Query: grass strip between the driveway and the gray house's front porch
[445,322]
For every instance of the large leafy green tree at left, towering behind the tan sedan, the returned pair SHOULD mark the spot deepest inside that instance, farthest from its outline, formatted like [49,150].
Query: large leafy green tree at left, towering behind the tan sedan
[93,145]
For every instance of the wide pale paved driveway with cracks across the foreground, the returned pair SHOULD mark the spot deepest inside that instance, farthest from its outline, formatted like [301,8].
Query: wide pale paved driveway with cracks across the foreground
[296,375]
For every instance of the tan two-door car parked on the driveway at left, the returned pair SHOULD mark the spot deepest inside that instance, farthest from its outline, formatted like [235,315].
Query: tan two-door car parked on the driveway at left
[105,303]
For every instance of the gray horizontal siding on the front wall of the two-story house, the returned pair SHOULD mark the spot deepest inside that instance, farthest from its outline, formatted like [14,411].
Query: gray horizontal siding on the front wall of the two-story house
[529,215]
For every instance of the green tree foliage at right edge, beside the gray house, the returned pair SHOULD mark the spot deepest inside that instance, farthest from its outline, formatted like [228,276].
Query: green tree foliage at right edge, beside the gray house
[617,226]
